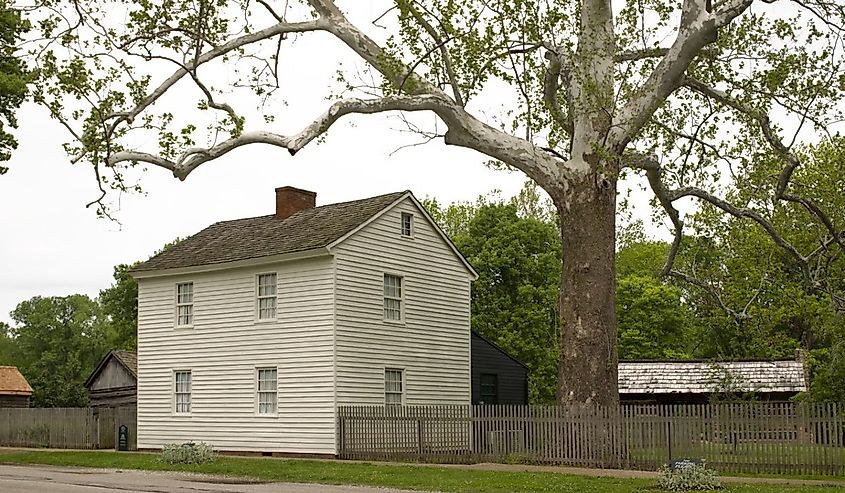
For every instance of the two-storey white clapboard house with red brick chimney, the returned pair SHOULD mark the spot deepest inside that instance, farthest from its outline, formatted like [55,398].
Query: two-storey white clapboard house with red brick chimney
[252,332]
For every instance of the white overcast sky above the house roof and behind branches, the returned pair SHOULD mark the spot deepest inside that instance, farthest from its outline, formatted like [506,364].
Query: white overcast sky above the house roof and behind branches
[51,245]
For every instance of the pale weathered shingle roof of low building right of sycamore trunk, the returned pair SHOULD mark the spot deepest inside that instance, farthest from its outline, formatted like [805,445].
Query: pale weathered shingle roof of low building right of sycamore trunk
[701,377]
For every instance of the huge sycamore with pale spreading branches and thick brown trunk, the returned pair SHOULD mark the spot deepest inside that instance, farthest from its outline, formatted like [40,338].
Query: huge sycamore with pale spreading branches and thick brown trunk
[691,94]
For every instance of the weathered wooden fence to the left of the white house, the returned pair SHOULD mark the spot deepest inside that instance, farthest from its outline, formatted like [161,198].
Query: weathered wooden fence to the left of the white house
[65,427]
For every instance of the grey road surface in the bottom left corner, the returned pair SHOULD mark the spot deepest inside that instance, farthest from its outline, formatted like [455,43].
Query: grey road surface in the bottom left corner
[46,479]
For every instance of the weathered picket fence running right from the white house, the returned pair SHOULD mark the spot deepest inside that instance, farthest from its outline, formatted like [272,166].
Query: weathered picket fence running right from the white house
[739,438]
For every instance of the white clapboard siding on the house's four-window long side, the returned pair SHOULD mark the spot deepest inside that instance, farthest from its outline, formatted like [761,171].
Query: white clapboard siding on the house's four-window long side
[223,349]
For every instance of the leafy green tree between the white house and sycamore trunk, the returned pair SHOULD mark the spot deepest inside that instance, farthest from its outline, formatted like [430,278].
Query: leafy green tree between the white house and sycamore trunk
[517,260]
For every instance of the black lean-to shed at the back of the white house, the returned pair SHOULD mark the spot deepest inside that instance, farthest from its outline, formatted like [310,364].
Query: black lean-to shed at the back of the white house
[497,377]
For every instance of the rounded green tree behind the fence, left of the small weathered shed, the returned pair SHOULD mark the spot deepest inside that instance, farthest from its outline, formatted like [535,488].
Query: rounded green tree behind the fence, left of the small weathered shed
[59,340]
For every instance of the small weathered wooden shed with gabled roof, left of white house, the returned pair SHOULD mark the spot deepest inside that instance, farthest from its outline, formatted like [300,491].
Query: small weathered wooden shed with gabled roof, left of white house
[114,382]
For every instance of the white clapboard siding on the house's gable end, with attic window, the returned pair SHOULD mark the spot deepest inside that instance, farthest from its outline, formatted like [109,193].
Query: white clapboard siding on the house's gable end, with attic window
[432,345]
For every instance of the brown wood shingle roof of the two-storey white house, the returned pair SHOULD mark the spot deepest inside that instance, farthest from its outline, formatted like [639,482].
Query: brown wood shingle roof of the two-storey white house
[244,239]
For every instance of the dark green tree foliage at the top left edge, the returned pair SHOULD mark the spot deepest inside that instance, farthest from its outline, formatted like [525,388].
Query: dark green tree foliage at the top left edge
[13,77]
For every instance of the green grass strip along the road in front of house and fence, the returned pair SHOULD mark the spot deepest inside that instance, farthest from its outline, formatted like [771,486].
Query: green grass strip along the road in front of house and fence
[384,475]
